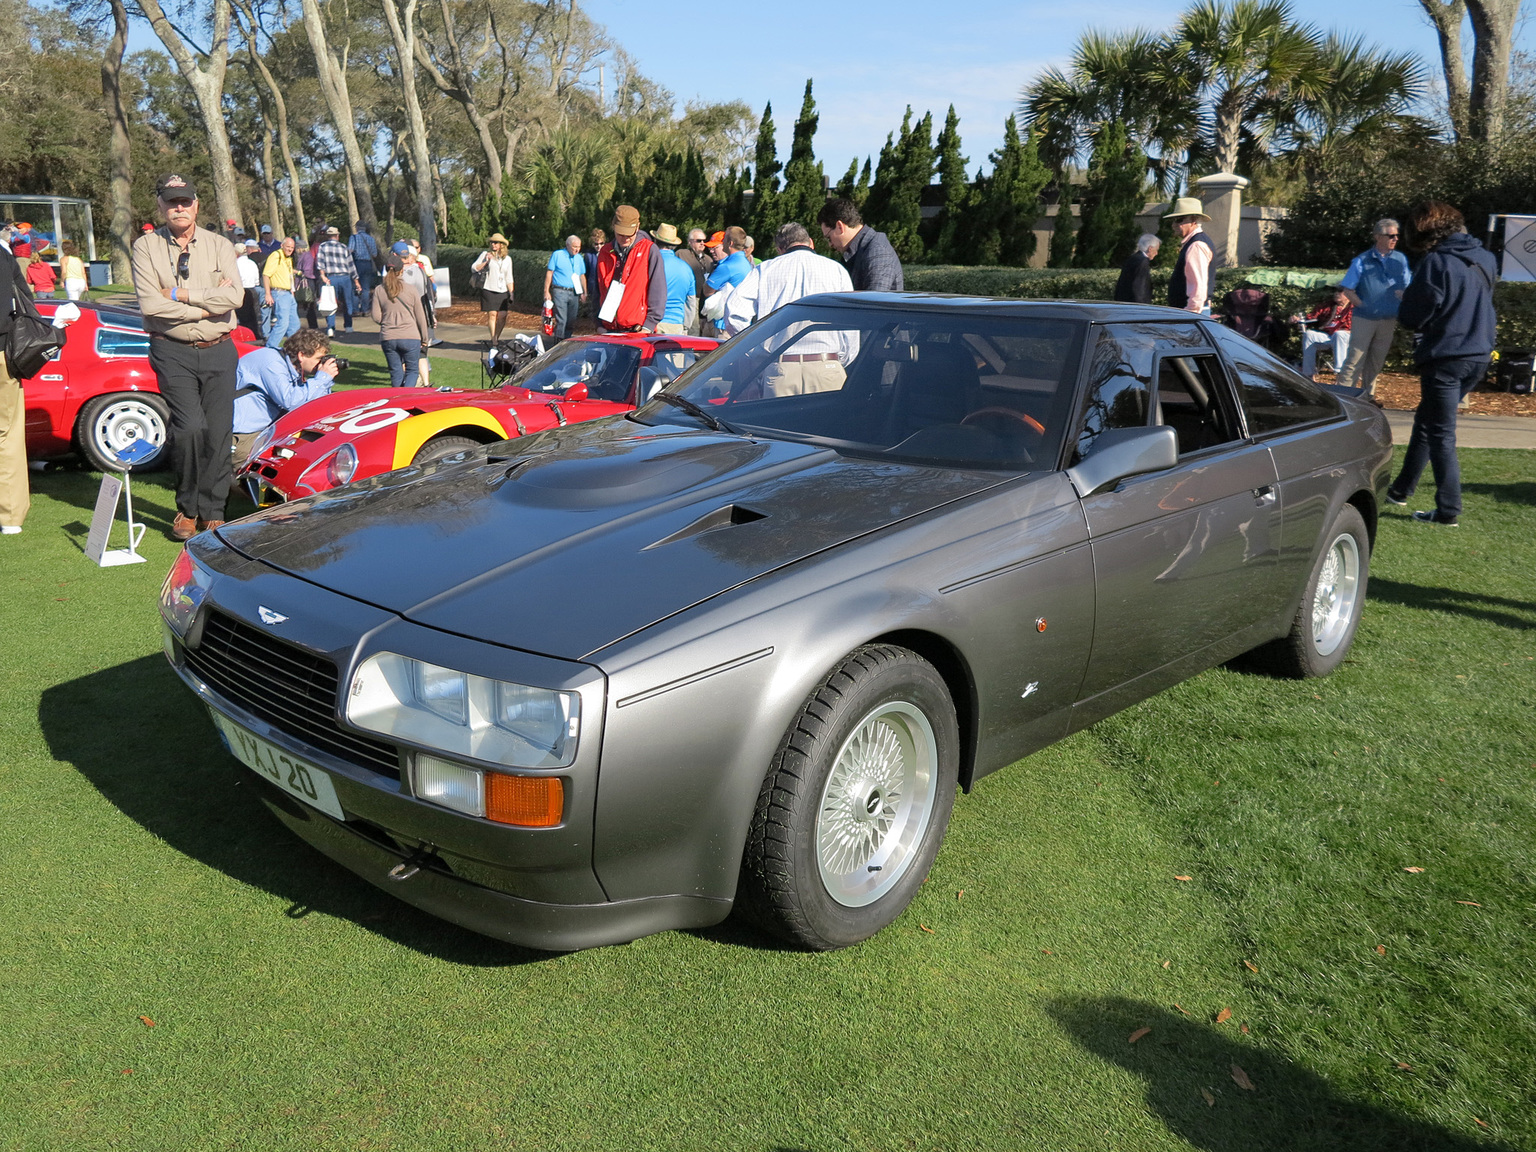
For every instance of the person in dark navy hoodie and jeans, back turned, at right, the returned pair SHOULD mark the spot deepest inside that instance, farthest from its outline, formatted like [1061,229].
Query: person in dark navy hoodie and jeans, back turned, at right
[1451,308]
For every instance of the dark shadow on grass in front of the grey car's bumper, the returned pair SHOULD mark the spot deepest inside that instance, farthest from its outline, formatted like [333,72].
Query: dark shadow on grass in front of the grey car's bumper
[150,749]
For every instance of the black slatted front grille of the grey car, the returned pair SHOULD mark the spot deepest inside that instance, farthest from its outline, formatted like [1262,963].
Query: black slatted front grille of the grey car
[286,687]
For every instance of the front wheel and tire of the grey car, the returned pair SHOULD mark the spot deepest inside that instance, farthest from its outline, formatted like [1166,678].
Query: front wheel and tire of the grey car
[856,806]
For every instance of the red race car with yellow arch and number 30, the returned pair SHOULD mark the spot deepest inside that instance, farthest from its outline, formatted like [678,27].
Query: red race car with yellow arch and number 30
[363,432]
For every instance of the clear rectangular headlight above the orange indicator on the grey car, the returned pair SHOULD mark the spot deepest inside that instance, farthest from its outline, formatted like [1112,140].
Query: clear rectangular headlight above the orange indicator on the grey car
[463,715]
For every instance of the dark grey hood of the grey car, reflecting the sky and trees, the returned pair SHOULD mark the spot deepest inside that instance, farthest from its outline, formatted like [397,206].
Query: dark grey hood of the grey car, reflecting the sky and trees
[571,540]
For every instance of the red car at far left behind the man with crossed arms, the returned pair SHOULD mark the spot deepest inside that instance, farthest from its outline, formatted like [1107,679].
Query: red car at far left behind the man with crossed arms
[101,396]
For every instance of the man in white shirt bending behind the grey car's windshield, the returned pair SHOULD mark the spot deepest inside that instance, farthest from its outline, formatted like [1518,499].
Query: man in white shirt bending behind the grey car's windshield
[815,363]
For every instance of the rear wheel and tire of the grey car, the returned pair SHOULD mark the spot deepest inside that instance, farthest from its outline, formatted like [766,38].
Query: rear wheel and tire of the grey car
[1325,626]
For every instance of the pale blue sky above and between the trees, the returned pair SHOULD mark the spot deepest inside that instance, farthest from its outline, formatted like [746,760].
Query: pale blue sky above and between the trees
[870,59]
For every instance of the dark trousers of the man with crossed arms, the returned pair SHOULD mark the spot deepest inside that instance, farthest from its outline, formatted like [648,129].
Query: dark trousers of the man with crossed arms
[199,386]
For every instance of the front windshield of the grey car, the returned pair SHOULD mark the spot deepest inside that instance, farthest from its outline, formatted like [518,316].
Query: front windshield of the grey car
[950,388]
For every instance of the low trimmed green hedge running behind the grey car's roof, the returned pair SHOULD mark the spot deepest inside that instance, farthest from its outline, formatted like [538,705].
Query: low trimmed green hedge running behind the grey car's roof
[1291,291]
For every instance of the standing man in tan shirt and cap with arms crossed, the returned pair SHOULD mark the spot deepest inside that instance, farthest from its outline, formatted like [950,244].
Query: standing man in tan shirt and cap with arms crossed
[188,293]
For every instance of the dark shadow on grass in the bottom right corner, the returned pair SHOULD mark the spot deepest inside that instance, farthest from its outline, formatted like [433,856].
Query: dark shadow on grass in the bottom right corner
[1194,1079]
